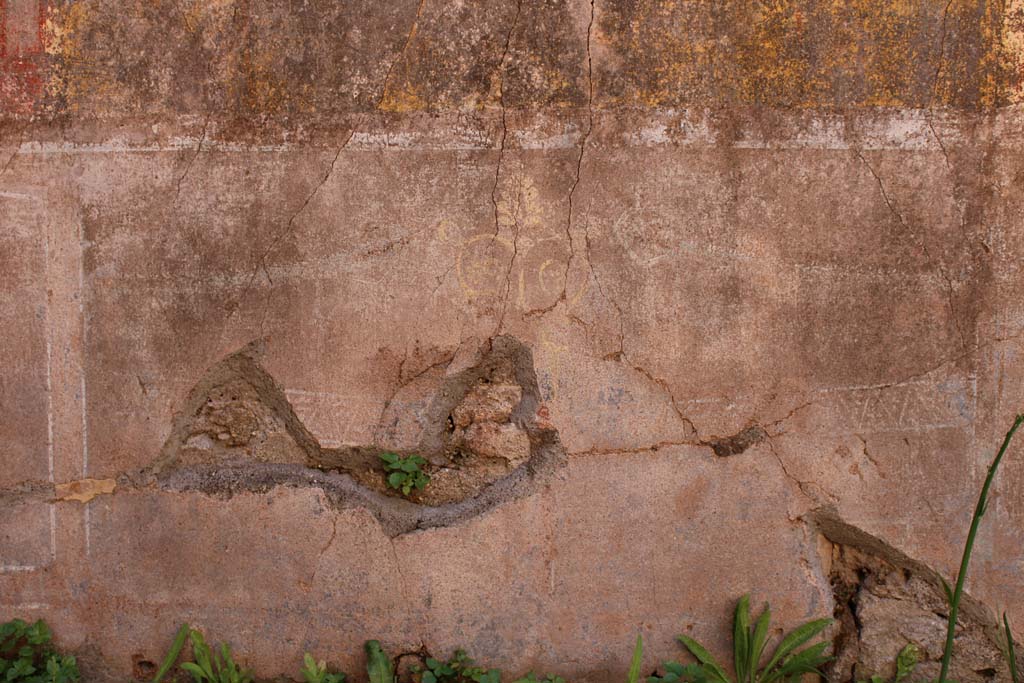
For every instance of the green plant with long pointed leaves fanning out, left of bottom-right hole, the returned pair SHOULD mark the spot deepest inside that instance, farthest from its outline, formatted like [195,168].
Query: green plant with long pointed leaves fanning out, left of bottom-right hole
[786,665]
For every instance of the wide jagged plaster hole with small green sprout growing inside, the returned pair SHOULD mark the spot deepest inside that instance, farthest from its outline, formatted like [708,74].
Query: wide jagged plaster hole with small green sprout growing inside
[477,419]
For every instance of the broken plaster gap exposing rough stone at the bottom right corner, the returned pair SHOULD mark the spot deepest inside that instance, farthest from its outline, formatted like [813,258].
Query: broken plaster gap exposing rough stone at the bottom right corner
[886,601]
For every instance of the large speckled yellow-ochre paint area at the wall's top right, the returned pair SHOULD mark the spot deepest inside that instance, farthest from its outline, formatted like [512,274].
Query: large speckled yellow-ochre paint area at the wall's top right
[808,54]
